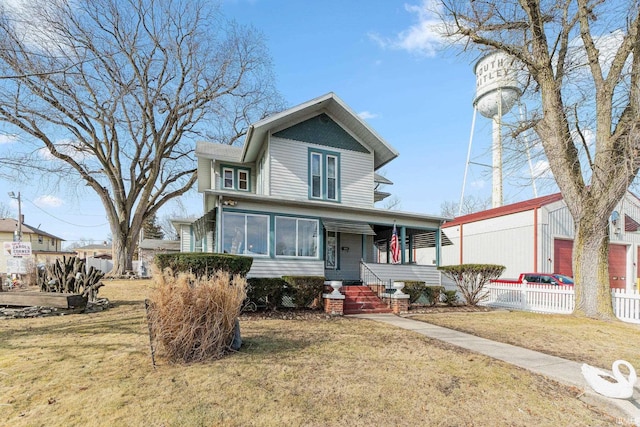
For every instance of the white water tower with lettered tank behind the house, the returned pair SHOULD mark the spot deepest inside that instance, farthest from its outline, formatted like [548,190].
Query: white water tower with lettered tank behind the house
[496,92]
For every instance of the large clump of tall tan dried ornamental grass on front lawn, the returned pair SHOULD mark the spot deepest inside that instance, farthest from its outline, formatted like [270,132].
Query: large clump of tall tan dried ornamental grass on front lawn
[192,318]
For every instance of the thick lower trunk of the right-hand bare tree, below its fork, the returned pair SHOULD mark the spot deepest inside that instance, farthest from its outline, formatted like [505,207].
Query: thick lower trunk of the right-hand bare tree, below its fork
[591,269]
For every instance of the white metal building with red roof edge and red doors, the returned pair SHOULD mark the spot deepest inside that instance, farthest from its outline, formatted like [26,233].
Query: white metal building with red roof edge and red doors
[537,236]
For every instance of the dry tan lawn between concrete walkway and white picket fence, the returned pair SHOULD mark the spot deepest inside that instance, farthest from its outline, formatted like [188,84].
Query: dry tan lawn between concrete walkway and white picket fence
[590,341]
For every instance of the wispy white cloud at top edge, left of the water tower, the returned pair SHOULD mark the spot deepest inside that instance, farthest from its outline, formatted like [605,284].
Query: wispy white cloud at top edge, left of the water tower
[424,37]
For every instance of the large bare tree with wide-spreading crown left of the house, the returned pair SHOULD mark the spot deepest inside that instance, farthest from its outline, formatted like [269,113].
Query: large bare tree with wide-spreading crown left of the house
[116,91]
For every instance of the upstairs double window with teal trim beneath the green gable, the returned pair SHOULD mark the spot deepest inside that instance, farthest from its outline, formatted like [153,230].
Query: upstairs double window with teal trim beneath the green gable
[324,175]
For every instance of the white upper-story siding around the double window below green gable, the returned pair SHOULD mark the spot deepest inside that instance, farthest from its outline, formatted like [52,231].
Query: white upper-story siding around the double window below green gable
[290,175]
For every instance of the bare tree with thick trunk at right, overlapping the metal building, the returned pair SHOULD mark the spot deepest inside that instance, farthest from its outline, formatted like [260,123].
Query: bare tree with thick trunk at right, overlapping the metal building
[582,58]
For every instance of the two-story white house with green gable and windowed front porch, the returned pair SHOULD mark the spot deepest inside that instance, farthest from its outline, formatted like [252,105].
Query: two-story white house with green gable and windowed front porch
[299,197]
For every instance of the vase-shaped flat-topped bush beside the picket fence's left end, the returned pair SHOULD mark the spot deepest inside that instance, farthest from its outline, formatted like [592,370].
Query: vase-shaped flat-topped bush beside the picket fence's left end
[471,278]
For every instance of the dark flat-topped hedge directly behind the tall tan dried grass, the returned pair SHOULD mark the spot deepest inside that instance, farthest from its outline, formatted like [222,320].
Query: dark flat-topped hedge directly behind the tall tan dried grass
[204,263]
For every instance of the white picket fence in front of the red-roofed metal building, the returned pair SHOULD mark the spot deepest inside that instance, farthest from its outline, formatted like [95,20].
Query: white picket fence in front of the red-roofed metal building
[555,299]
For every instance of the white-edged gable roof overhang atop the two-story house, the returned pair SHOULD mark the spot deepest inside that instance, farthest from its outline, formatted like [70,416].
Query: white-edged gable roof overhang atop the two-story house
[330,104]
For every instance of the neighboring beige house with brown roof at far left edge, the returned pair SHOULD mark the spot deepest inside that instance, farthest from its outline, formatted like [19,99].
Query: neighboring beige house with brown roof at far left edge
[45,247]
